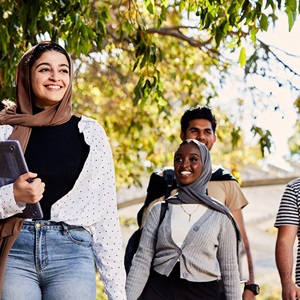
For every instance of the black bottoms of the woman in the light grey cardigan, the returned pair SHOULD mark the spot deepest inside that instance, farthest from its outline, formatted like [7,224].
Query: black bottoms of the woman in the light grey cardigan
[161,287]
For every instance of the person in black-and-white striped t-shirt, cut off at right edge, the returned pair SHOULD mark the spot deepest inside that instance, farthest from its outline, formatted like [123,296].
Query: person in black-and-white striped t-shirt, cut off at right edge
[287,222]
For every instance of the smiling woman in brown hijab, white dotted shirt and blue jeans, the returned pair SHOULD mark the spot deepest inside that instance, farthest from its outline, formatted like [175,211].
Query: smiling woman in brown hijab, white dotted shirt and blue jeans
[72,173]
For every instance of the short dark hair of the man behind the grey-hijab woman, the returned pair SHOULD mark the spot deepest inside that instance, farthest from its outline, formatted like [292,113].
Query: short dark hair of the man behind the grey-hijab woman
[198,112]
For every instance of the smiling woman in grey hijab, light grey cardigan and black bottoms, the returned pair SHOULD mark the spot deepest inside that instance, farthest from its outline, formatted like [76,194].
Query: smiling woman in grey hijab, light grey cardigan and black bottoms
[196,244]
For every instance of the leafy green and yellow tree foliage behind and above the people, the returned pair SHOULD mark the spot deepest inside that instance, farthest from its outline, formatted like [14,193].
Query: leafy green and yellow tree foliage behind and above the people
[139,63]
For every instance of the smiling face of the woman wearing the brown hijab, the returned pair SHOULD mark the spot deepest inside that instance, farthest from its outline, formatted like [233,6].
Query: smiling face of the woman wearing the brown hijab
[50,78]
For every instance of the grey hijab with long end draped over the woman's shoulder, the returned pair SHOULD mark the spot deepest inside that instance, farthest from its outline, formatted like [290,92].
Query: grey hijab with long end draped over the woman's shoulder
[196,192]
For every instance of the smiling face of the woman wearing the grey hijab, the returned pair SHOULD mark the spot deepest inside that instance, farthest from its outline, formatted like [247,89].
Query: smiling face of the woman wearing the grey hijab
[187,163]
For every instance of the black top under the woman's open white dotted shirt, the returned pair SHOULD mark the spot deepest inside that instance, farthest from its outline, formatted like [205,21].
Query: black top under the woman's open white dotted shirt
[57,154]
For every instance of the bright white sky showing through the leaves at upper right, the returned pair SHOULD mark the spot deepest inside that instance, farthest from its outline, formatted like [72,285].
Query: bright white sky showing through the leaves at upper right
[280,122]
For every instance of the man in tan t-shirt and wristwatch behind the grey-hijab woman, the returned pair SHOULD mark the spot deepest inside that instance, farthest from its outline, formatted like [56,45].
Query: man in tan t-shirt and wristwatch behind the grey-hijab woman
[200,123]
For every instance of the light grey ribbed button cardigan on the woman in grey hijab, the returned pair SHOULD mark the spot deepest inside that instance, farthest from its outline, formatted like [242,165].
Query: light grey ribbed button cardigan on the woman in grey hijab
[207,253]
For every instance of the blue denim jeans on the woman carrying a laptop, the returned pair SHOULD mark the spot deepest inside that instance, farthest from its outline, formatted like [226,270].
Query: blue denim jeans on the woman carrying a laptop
[50,261]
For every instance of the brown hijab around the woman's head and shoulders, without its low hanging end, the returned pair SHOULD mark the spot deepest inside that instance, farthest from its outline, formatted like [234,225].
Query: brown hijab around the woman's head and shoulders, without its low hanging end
[20,115]
